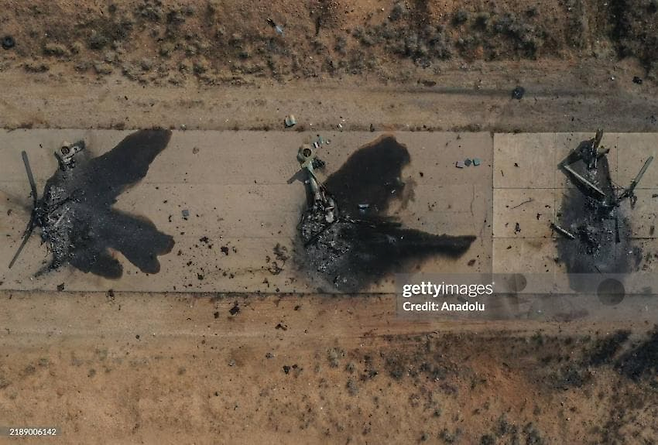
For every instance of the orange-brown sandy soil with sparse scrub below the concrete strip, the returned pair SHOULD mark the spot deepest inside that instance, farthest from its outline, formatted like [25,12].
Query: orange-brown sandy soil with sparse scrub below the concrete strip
[146,368]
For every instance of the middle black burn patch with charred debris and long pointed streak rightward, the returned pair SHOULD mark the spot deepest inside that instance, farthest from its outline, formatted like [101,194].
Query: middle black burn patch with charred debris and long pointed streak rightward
[364,244]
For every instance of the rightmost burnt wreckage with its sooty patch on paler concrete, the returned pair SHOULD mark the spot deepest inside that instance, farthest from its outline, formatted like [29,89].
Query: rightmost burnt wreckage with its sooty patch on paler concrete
[594,230]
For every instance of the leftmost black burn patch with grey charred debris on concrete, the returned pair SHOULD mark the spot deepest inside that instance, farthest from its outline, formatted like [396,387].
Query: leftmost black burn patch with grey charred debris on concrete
[77,219]
